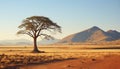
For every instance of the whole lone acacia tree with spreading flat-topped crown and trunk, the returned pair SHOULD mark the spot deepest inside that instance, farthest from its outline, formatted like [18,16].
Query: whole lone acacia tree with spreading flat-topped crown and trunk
[36,26]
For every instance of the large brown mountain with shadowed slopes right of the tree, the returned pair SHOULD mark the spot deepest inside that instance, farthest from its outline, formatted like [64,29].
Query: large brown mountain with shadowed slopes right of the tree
[94,34]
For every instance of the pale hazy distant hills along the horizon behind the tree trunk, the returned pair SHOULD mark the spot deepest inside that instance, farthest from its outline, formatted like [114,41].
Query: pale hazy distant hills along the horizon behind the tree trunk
[27,42]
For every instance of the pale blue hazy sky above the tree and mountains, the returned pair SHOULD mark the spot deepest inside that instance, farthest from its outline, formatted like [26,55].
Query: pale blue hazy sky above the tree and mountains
[73,15]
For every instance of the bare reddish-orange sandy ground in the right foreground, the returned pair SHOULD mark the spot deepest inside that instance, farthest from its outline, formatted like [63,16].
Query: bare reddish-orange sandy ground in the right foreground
[108,62]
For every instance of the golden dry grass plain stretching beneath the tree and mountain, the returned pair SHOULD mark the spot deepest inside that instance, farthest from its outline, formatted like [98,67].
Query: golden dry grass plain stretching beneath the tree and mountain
[21,55]
